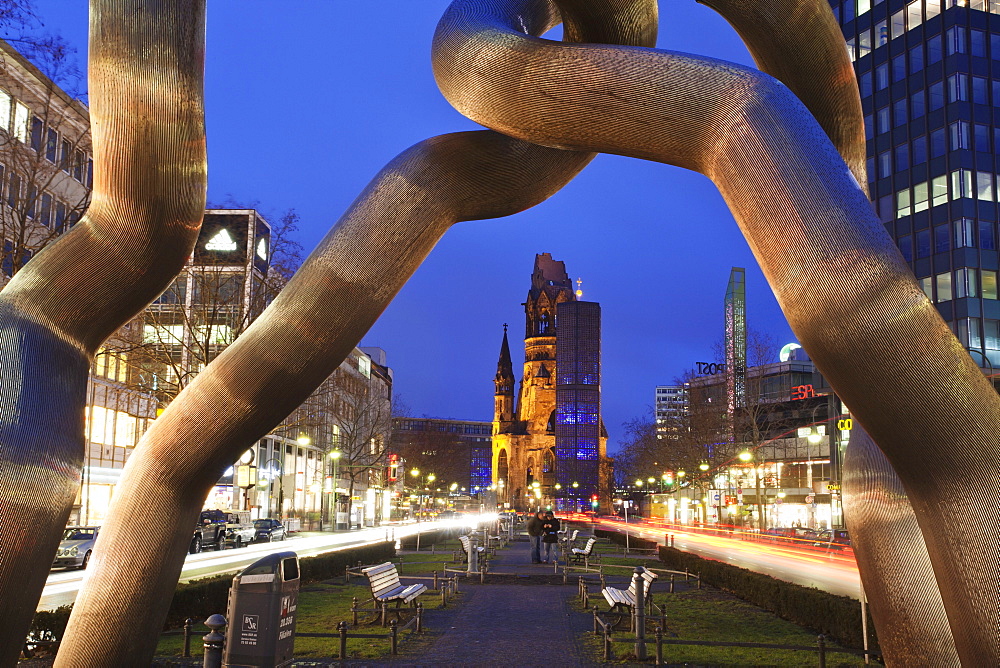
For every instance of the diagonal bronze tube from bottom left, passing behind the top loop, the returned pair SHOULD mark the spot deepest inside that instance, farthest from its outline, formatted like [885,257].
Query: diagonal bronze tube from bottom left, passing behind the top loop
[298,341]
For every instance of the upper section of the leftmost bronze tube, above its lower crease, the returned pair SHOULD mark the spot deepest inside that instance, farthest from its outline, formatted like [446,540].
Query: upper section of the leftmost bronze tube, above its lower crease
[147,125]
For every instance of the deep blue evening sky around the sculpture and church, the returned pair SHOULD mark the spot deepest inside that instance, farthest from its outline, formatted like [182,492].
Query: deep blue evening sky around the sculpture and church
[308,99]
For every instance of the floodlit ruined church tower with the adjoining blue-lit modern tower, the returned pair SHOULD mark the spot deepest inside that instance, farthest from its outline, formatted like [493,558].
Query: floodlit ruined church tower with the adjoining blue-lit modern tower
[552,433]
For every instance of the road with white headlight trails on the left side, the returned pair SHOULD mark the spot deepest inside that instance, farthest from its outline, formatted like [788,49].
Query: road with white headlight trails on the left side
[62,586]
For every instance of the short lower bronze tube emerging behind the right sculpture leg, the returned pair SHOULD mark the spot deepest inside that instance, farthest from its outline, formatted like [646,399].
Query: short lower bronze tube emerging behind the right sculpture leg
[895,568]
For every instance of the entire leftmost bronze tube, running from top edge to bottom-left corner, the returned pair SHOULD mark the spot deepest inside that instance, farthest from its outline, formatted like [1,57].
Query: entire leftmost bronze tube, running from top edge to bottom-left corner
[149,194]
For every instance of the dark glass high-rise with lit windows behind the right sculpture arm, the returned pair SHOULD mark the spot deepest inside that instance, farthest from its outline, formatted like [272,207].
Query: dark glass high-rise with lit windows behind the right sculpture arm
[931,100]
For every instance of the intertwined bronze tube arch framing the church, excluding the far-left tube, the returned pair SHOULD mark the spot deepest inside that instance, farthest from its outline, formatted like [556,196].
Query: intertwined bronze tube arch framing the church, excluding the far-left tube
[770,147]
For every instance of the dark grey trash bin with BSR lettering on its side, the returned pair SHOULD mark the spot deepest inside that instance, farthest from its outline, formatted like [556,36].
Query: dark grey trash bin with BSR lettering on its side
[261,612]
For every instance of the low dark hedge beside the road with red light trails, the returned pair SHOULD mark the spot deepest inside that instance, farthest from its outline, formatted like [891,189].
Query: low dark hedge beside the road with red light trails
[836,616]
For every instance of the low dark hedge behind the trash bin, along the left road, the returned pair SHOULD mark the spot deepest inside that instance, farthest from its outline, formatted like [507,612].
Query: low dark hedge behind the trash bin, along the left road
[200,598]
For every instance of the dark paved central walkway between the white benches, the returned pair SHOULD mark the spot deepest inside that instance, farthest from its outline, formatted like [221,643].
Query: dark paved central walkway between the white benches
[529,623]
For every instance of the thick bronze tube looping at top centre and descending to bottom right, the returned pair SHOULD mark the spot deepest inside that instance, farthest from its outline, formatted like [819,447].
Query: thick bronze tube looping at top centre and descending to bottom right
[840,280]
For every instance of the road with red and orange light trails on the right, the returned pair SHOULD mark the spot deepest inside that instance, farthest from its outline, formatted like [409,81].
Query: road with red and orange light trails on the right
[834,571]
